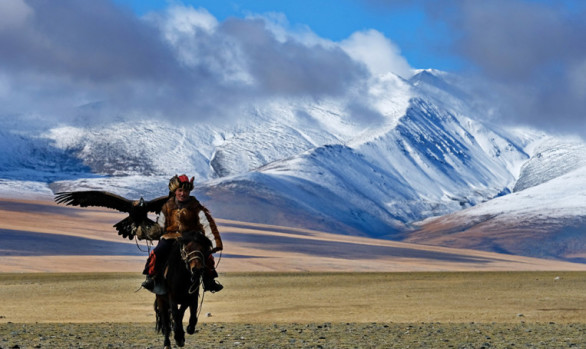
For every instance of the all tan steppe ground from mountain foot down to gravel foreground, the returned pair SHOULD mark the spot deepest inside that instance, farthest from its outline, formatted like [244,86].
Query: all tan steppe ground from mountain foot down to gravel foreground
[287,297]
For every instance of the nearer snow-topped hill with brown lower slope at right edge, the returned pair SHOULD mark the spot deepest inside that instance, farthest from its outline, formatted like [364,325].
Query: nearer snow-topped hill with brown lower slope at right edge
[547,221]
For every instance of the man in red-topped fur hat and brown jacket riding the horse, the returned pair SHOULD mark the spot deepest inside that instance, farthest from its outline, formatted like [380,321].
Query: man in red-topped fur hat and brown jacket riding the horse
[183,213]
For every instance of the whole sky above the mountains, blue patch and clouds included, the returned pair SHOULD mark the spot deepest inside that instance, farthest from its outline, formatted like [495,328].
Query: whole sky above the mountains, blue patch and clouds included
[176,58]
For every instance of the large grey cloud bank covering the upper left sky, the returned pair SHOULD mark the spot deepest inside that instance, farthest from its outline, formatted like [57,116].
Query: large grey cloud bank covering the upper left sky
[178,63]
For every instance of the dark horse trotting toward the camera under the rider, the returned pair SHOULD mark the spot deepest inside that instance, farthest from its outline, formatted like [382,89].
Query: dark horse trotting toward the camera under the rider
[182,281]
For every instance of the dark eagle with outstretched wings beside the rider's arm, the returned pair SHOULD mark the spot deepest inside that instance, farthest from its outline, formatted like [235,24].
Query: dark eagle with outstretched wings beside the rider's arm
[136,224]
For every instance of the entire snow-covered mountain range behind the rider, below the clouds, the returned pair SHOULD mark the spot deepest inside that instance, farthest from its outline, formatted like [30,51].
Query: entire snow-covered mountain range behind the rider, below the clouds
[411,150]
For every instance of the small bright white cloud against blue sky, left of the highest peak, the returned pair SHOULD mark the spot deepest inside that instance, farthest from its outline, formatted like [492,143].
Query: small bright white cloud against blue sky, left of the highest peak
[377,52]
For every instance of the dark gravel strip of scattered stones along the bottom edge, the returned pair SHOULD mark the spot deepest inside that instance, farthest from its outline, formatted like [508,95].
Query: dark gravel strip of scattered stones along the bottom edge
[313,335]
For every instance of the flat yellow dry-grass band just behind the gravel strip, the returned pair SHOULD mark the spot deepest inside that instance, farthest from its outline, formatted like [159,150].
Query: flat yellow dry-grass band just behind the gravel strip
[308,297]
